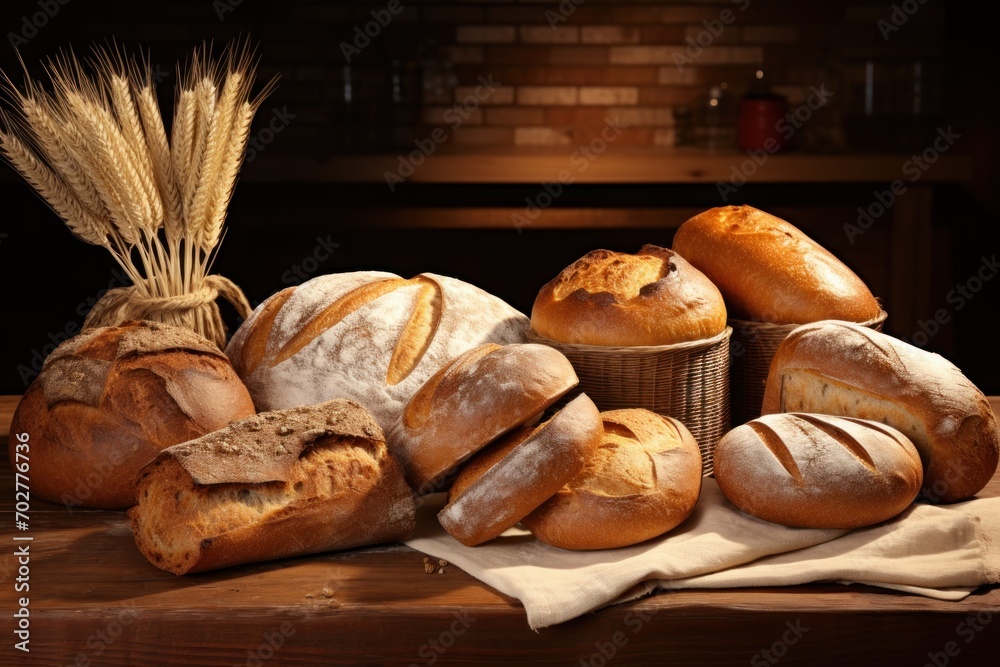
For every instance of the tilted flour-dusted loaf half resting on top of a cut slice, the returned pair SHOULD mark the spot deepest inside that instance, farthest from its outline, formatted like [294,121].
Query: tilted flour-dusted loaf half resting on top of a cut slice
[473,400]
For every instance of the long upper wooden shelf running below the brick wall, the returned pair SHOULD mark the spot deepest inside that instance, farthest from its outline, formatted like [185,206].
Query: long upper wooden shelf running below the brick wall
[663,166]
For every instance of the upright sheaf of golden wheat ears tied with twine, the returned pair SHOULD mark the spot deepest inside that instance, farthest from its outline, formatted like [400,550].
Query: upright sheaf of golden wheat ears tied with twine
[93,144]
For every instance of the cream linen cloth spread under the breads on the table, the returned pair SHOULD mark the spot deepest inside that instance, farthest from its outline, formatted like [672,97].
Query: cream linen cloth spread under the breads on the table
[942,552]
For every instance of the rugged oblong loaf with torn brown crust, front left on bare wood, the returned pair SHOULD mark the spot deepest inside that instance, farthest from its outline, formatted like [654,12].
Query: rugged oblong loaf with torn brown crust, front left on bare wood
[285,483]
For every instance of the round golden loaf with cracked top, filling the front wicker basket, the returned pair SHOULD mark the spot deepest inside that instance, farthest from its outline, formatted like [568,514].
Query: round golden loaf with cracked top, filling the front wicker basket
[653,297]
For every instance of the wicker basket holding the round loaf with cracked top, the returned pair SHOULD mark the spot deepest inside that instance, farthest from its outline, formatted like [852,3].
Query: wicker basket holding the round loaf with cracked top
[687,381]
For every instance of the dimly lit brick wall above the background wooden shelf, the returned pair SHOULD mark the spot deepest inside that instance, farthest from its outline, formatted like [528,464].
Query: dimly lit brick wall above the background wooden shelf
[565,67]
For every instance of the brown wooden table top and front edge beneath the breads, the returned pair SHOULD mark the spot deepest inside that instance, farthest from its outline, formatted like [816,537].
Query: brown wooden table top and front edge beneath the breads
[94,600]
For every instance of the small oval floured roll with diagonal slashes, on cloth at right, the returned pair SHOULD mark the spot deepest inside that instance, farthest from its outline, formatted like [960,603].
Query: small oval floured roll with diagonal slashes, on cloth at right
[817,471]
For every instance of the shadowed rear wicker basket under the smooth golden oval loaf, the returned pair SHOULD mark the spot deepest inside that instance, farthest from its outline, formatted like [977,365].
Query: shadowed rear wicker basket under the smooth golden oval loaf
[754,346]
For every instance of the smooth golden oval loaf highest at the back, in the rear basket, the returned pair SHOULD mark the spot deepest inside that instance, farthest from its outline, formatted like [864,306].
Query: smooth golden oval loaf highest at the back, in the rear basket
[769,271]
